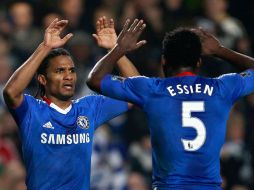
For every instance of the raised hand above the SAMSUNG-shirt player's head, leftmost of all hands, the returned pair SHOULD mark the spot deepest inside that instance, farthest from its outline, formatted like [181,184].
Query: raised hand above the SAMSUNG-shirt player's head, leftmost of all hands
[52,37]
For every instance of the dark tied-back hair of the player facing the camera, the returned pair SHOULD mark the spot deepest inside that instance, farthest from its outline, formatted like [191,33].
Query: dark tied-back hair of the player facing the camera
[45,64]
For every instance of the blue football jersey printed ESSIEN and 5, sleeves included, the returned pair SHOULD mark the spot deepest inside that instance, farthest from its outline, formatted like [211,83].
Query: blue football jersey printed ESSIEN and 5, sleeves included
[187,120]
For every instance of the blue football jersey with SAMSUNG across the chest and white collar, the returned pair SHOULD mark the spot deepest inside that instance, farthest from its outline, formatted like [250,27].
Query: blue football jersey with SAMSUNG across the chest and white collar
[57,146]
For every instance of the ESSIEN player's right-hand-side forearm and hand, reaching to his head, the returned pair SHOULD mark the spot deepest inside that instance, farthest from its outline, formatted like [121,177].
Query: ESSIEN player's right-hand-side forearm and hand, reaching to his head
[212,46]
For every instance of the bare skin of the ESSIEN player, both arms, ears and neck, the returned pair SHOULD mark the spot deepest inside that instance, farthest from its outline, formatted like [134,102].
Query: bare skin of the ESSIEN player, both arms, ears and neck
[128,41]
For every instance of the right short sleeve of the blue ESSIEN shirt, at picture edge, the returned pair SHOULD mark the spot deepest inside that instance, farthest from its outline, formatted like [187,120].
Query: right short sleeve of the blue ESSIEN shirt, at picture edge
[238,85]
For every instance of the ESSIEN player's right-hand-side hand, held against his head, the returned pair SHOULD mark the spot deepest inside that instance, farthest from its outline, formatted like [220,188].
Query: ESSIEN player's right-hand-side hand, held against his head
[210,44]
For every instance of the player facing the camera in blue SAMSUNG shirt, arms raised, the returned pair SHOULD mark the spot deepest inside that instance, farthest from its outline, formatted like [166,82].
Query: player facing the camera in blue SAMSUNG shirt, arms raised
[57,132]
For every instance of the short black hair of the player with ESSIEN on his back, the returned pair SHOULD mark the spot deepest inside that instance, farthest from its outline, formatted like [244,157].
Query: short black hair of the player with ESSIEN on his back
[181,48]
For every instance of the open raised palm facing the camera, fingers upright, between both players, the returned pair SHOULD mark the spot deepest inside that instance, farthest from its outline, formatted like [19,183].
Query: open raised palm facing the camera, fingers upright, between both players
[105,33]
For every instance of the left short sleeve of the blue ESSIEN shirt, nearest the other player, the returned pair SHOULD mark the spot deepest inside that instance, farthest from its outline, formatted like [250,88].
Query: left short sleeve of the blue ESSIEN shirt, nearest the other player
[132,89]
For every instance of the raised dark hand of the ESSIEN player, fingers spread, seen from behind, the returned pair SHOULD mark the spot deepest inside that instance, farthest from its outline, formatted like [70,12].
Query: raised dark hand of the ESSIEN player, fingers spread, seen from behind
[128,38]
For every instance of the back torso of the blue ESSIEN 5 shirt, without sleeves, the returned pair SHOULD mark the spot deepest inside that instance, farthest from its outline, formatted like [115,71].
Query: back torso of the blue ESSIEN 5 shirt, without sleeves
[187,119]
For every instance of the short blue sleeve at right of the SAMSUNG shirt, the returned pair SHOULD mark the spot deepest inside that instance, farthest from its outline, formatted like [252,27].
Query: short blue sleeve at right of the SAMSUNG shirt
[108,108]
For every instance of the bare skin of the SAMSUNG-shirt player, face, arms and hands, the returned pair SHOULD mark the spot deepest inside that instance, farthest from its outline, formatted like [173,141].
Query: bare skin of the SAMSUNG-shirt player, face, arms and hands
[60,78]
